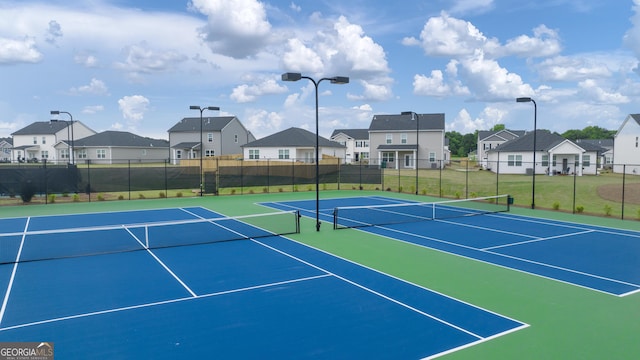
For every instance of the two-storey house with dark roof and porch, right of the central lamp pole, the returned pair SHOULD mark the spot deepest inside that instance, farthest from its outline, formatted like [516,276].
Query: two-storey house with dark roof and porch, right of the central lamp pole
[400,139]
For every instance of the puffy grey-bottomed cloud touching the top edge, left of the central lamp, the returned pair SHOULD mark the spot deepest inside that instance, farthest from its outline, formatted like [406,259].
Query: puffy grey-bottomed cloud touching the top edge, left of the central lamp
[237,29]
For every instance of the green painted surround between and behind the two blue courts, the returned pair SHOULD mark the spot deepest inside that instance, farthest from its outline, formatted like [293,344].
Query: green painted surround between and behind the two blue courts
[566,321]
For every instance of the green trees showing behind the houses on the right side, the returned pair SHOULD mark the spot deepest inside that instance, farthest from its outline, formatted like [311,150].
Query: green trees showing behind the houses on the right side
[462,145]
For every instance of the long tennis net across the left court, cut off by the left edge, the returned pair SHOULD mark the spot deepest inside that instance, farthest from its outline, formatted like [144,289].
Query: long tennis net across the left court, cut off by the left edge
[86,241]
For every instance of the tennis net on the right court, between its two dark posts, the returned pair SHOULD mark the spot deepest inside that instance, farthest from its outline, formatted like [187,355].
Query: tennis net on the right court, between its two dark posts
[397,213]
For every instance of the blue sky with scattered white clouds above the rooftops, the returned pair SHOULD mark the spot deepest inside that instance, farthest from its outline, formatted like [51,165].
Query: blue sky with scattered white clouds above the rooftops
[138,65]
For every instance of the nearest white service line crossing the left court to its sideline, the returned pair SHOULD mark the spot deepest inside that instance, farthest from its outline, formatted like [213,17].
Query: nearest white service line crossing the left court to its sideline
[157,303]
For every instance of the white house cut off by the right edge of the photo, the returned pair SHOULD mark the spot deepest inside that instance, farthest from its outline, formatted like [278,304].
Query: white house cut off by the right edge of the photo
[627,146]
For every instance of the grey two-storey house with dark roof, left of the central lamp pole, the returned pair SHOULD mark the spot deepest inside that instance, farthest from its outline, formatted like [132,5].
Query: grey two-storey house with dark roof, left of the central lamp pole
[221,135]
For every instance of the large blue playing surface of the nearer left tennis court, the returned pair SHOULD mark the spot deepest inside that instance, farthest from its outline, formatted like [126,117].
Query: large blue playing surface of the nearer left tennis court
[107,293]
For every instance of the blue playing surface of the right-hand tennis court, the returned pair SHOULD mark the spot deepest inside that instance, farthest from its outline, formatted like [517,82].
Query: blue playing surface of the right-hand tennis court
[593,257]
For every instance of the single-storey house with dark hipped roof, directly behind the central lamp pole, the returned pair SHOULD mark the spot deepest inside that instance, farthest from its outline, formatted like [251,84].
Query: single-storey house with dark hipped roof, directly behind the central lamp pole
[293,144]
